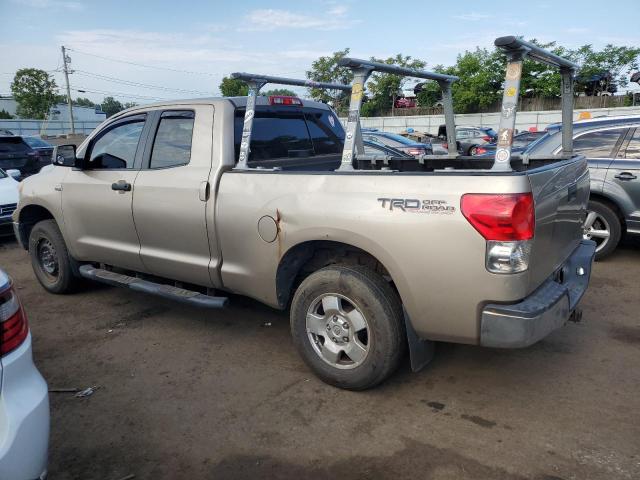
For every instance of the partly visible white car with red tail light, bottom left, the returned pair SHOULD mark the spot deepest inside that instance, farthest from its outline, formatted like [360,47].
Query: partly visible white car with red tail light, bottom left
[24,398]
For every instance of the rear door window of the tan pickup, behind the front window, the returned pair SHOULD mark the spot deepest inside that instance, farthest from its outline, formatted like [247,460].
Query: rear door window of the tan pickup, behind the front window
[172,143]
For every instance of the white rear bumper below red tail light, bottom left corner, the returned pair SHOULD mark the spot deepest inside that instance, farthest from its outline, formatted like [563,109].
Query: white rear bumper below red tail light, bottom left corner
[24,417]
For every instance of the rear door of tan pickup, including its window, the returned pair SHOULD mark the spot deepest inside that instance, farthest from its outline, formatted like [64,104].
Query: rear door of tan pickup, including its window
[172,194]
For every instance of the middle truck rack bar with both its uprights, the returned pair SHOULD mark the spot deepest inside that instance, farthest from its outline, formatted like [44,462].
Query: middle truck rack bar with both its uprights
[362,69]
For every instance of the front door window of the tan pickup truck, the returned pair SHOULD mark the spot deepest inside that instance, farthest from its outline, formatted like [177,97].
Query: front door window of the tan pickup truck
[116,148]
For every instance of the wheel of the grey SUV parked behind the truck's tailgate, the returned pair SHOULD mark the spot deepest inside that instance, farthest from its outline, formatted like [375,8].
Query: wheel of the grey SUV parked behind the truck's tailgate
[603,226]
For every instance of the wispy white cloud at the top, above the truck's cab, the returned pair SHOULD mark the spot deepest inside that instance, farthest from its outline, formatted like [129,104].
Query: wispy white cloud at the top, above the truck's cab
[271,19]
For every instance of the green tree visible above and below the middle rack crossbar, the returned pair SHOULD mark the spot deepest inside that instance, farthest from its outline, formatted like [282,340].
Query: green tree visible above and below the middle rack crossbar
[383,87]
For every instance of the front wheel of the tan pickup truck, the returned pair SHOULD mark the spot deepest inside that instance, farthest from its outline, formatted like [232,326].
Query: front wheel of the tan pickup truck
[46,247]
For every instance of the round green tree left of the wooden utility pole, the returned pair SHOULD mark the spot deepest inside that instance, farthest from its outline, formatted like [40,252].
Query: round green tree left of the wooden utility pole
[35,92]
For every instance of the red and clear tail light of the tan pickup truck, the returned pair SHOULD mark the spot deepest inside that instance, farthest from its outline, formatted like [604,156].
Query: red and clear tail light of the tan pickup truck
[507,223]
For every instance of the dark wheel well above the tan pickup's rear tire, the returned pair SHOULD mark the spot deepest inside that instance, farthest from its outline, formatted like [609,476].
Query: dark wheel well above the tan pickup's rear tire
[305,258]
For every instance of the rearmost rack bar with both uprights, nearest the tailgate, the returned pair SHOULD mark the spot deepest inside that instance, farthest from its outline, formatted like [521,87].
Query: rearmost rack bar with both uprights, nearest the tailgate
[517,50]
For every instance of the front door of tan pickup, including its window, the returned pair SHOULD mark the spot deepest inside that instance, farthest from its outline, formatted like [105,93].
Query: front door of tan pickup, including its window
[97,200]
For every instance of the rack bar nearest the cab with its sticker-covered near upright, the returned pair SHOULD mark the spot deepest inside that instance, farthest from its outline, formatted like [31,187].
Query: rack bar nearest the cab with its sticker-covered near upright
[255,83]
